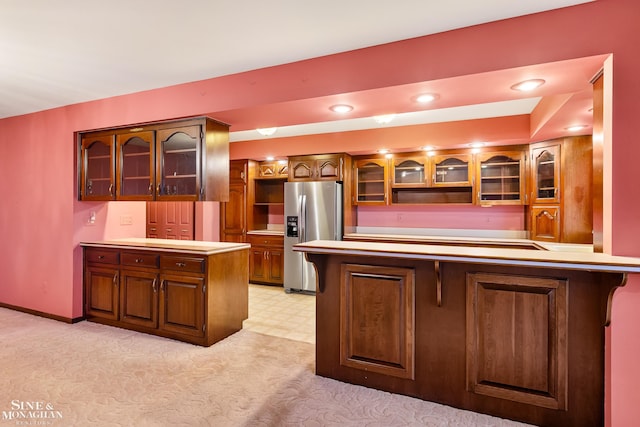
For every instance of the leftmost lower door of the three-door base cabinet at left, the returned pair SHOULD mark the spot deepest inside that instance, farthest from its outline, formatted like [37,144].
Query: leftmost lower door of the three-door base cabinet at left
[102,292]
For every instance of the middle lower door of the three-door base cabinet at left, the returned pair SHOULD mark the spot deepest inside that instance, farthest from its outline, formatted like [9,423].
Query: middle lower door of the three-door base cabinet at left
[139,298]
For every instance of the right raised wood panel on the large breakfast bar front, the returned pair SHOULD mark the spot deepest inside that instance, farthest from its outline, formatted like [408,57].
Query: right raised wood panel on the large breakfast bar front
[516,338]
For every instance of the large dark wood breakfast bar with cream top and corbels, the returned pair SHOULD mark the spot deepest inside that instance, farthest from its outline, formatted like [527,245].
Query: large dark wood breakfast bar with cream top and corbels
[515,333]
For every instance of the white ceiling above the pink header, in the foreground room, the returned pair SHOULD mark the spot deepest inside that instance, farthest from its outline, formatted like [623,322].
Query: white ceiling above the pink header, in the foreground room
[55,53]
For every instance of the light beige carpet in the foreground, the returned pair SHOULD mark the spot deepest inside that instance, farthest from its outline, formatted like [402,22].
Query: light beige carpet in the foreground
[92,375]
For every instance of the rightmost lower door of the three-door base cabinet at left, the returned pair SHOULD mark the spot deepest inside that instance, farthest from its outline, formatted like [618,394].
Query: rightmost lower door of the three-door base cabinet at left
[182,305]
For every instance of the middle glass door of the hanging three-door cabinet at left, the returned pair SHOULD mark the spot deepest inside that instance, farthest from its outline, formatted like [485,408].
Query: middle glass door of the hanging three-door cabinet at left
[135,166]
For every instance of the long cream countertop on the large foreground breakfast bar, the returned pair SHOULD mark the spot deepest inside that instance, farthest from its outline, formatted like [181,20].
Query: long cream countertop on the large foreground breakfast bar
[565,259]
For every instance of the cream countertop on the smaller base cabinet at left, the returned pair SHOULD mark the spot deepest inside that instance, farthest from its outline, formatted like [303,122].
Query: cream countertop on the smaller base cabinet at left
[169,245]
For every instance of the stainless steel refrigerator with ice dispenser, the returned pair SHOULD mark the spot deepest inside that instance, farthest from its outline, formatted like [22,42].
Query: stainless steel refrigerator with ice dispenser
[312,211]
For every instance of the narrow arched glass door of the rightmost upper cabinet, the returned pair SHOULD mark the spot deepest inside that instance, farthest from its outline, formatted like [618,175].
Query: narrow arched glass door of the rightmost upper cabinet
[546,174]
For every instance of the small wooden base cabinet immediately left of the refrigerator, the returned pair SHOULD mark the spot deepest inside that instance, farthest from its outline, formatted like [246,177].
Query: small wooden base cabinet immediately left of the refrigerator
[266,260]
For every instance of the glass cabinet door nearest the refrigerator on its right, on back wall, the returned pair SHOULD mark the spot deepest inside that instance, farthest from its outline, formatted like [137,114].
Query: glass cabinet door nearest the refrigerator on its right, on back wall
[371,181]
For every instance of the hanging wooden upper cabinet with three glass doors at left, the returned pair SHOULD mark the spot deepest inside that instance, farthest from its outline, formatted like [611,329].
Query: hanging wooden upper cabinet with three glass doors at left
[177,160]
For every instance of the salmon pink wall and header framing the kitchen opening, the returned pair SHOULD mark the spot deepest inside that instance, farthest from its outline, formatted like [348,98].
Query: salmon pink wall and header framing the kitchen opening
[41,223]
